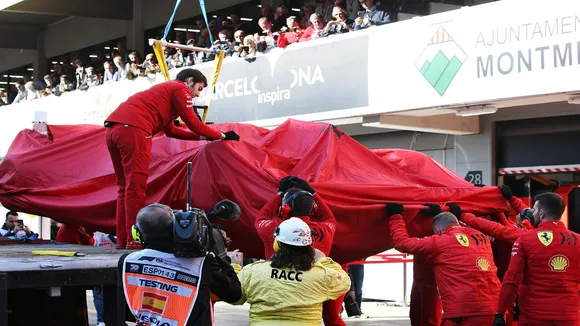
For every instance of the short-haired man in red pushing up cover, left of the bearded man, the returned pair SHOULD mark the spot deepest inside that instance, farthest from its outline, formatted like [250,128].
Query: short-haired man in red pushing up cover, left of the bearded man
[464,270]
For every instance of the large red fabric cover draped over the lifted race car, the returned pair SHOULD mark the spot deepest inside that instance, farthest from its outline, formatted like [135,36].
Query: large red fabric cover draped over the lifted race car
[69,177]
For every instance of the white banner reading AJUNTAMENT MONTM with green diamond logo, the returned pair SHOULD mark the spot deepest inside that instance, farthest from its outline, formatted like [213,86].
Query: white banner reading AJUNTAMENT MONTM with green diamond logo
[500,50]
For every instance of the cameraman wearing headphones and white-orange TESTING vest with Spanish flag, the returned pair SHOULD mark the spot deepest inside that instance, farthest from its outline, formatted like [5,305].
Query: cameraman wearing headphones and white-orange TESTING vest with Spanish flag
[161,288]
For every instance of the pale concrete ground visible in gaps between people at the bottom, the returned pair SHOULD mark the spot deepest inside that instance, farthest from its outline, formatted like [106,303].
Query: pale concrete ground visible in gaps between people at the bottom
[377,314]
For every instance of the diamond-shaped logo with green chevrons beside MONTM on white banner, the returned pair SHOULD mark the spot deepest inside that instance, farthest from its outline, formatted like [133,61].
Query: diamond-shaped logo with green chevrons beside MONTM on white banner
[440,61]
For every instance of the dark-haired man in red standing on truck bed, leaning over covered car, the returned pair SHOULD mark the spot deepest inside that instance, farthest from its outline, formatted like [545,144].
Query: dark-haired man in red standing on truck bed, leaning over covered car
[130,129]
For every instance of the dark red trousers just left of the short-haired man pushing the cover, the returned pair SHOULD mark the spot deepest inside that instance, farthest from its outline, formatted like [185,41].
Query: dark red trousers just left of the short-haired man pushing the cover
[425,305]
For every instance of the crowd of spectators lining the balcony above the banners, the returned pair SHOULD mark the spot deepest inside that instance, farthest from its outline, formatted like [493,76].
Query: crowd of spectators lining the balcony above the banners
[274,29]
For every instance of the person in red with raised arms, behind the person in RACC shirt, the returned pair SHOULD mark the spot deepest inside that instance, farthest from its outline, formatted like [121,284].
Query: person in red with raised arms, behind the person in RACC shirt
[297,199]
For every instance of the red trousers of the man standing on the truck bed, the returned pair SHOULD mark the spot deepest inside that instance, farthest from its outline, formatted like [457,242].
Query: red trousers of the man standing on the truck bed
[130,150]
